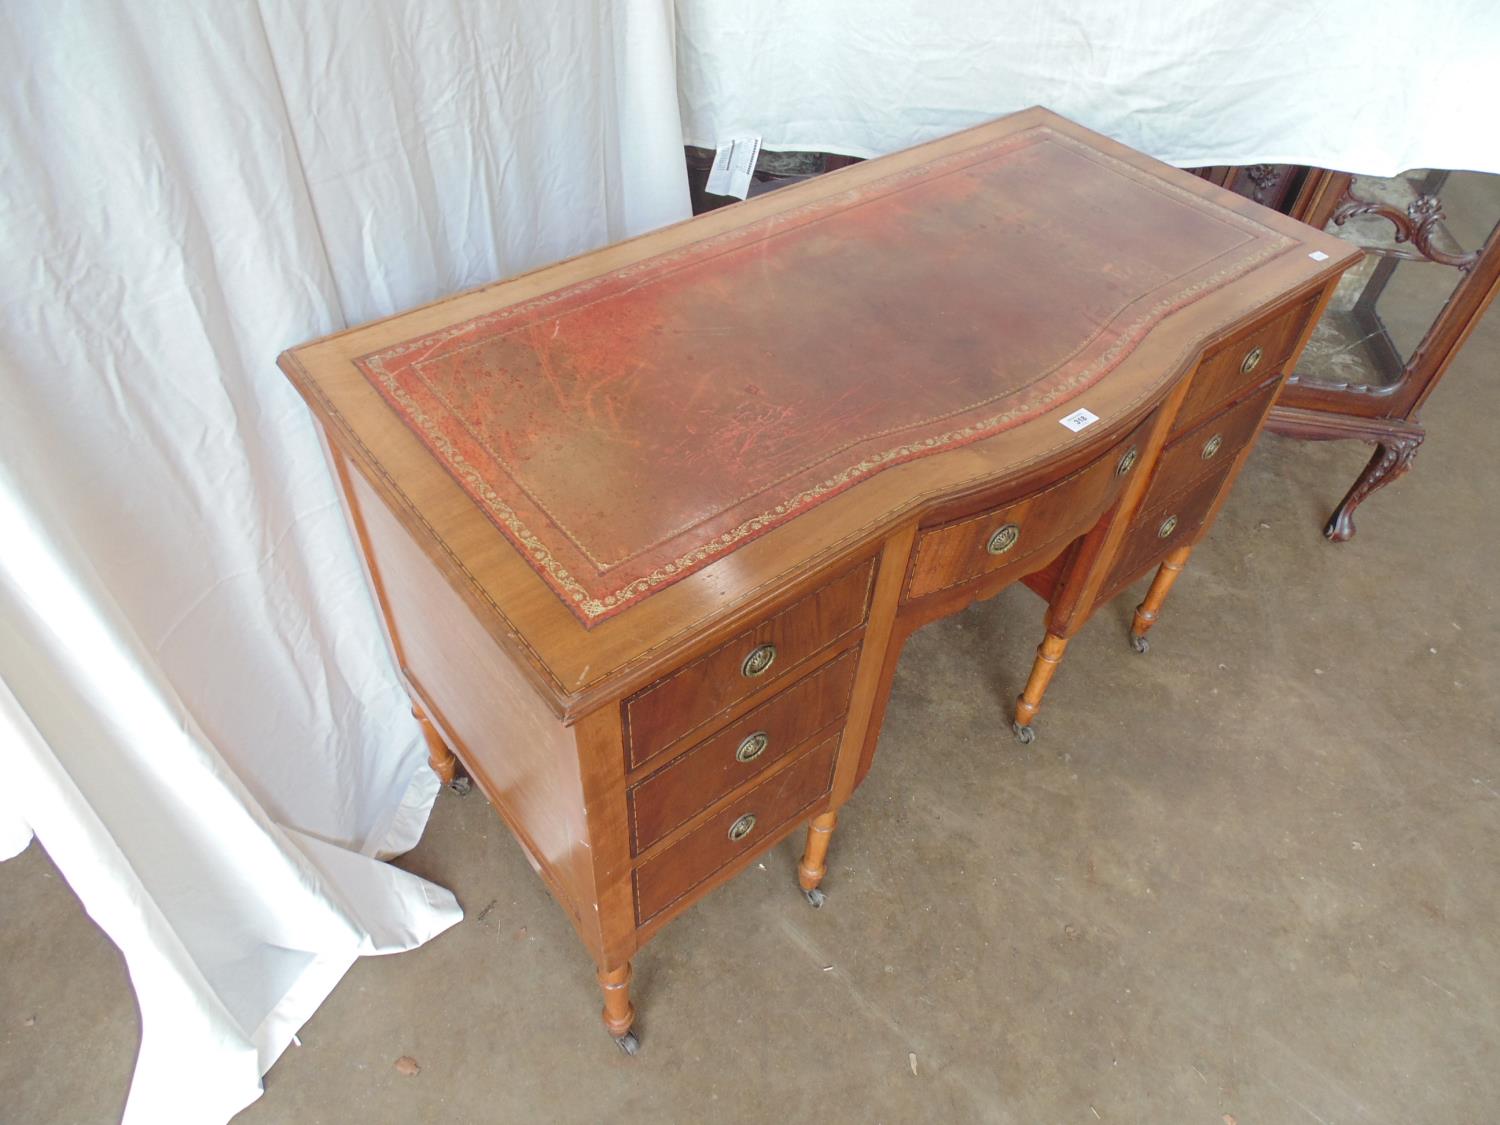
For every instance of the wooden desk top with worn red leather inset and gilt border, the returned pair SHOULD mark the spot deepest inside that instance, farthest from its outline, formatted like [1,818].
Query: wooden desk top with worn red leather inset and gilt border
[616,455]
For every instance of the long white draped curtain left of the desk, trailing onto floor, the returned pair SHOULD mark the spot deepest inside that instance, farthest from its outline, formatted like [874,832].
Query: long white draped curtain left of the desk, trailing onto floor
[199,716]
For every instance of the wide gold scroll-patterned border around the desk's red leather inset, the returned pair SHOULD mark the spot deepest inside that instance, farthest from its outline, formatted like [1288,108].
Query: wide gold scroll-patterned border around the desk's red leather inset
[592,607]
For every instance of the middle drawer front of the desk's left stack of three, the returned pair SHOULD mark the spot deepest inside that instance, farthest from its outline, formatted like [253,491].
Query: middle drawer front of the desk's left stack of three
[740,752]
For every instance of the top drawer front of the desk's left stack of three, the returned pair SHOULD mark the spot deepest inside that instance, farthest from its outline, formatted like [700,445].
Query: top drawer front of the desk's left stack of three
[664,715]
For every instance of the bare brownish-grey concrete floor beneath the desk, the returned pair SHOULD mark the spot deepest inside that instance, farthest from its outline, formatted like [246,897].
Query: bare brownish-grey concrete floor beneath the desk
[1250,877]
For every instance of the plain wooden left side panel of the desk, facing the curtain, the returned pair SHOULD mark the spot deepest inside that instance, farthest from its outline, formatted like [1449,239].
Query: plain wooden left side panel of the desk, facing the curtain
[517,751]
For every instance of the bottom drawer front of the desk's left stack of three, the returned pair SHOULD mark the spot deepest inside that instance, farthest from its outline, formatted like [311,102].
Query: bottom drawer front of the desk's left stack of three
[742,827]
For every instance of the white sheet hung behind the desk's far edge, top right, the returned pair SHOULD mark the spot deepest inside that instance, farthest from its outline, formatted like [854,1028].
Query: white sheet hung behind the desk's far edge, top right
[1363,86]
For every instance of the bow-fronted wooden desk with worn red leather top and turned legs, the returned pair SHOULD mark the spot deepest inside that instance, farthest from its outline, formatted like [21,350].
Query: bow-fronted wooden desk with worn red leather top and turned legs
[650,527]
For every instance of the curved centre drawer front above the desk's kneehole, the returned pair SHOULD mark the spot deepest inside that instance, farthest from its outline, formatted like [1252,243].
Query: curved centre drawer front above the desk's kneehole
[1010,536]
